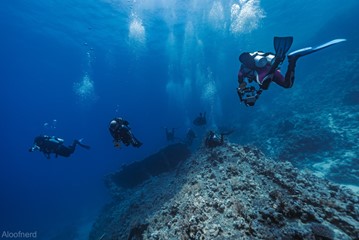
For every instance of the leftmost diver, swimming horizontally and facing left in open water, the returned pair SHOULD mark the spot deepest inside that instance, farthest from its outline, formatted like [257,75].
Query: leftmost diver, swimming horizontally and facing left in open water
[48,145]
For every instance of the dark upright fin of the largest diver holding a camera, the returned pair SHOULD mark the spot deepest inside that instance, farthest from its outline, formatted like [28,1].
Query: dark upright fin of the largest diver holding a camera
[281,46]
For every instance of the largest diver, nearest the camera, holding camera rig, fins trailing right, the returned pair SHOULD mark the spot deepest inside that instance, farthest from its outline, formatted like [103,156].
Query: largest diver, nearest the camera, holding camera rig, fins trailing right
[259,69]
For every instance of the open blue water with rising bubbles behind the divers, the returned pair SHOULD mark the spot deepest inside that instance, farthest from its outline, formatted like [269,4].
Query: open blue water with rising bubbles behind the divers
[68,67]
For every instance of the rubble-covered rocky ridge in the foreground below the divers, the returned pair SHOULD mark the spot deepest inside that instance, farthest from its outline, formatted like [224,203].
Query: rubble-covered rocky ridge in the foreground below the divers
[230,192]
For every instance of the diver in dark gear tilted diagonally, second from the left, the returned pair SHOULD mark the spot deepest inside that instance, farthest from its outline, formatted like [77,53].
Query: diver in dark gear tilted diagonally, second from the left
[120,131]
